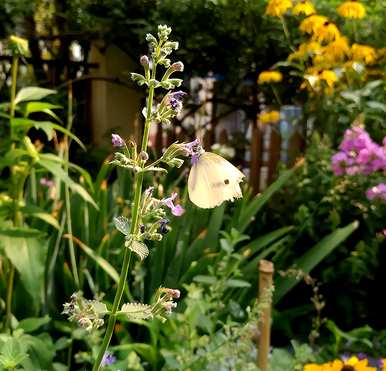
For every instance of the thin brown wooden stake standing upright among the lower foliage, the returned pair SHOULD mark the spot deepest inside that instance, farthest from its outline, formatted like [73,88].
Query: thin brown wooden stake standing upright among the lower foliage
[264,326]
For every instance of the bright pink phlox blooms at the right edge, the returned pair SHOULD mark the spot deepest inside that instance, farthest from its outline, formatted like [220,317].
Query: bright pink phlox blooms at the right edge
[360,155]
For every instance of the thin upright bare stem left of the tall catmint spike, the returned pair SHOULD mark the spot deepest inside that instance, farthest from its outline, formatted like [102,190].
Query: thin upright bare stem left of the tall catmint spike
[74,267]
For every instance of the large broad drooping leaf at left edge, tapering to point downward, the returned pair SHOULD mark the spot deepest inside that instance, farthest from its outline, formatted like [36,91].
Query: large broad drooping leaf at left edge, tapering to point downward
[28,255]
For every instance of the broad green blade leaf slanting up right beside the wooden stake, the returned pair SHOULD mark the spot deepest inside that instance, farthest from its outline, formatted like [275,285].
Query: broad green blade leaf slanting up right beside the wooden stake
[312,258]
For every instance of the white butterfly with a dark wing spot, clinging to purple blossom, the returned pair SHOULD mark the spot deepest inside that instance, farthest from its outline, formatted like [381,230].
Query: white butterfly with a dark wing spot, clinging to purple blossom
[213,180]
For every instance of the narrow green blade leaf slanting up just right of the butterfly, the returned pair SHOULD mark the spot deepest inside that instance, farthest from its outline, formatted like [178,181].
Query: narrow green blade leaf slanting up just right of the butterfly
[248,213]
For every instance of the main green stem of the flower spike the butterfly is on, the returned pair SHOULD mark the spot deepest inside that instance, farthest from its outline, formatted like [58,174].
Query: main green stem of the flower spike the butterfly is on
[133,230]
